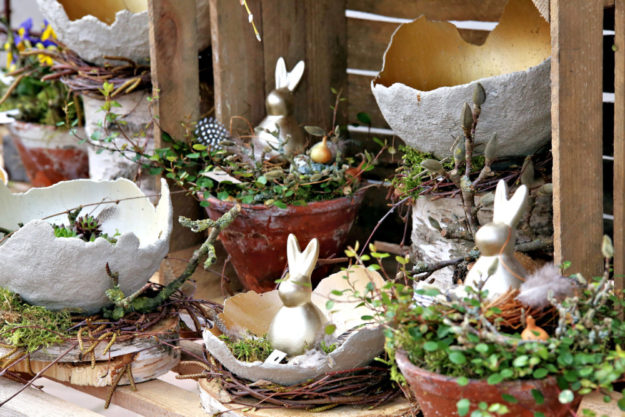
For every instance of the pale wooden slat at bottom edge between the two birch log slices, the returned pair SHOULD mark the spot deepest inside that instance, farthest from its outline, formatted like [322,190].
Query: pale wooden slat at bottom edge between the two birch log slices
[153,398]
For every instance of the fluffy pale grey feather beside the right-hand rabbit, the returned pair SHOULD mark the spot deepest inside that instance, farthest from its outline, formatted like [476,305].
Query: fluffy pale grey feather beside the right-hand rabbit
[534,292]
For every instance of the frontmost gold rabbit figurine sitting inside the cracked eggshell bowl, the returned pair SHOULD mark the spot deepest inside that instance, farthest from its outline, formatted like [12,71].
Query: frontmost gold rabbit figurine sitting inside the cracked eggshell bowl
[299,323]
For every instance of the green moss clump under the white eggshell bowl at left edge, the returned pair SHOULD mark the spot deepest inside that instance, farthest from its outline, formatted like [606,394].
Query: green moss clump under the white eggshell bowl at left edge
[30,327]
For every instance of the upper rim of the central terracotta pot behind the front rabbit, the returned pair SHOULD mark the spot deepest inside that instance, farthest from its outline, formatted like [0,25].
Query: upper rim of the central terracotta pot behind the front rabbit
[223,206]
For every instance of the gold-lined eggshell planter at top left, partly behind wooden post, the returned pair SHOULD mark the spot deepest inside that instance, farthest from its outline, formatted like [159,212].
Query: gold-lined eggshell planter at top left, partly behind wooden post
[98,28]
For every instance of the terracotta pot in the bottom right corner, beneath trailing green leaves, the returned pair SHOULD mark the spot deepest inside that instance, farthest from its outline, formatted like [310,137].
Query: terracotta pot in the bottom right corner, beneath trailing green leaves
[438,394]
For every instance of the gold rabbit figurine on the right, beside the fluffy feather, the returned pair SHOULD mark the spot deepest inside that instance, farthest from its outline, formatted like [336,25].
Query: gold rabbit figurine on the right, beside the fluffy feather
[497,264]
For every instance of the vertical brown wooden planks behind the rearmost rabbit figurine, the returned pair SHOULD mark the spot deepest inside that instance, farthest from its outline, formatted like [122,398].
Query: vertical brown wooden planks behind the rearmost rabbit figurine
[310,30]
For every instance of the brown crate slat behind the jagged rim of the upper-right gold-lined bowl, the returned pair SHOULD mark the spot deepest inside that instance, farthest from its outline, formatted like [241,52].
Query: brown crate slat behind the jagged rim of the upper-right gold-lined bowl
[367,40]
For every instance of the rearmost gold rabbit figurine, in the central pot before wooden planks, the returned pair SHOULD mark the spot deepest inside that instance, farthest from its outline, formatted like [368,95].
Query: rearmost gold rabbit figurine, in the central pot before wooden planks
[279,129]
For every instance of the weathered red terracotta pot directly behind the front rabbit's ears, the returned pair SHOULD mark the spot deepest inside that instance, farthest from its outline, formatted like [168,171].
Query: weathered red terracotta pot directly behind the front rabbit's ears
[256,240]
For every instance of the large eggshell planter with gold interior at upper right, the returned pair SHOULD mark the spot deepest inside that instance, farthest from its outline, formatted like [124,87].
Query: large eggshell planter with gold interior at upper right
[429,72]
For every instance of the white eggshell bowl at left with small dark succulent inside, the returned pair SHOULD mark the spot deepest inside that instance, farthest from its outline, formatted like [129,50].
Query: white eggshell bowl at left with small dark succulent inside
[60,273]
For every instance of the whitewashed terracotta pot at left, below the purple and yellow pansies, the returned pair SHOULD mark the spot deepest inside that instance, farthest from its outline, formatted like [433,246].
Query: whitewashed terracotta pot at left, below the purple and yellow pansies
[49,154]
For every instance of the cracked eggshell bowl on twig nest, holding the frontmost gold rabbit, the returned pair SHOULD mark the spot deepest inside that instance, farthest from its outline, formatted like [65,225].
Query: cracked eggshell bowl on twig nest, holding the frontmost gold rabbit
[253,312]
